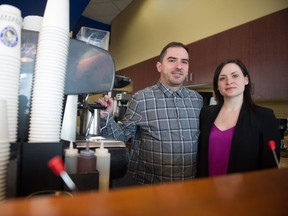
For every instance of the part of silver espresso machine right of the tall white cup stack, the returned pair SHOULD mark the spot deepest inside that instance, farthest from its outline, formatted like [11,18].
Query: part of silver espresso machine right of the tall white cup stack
[93,74]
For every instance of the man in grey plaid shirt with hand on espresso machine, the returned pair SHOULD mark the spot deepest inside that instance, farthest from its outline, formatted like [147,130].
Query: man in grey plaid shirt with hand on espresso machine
[162,122]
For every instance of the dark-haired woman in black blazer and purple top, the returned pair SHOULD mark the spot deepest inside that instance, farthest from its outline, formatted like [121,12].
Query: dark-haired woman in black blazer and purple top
[235,132]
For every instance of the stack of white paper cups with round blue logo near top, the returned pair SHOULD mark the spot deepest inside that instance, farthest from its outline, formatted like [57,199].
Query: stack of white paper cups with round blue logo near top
[10,46]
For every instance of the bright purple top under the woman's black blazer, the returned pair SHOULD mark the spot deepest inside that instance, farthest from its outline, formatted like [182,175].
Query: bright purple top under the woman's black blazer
[219,150]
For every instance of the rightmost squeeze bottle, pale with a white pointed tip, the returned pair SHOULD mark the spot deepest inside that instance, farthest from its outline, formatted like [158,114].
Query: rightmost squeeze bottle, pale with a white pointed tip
[103,159]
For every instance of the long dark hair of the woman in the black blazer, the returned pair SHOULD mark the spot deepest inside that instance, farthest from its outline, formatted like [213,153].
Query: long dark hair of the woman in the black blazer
[248,88]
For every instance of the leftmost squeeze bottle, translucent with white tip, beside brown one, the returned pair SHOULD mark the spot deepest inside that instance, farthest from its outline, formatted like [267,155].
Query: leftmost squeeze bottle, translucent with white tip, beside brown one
[71,156]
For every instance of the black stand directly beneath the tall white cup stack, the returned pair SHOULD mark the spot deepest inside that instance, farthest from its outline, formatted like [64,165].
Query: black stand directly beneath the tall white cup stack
[34,173]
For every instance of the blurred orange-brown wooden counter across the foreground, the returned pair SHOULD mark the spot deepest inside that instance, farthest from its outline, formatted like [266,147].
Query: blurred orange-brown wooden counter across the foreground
[255,193]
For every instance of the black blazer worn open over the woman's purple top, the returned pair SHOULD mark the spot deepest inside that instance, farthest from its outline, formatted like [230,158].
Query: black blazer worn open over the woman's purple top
[250,150]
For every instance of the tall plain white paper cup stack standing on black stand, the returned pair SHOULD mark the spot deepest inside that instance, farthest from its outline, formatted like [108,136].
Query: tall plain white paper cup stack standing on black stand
[49,75]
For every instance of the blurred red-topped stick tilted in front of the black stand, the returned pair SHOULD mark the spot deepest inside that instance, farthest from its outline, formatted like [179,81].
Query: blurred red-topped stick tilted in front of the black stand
[57,166]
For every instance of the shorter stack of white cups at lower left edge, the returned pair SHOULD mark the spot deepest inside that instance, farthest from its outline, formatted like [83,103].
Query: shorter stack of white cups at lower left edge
[4,148]
